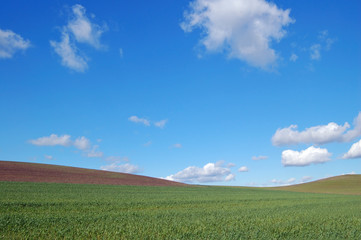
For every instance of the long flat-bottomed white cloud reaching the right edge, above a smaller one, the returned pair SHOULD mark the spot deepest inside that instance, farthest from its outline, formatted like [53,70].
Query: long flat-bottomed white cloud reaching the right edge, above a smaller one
[322,134]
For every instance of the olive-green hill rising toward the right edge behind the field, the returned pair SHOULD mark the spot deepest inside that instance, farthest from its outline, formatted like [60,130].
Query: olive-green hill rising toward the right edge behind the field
[344,184]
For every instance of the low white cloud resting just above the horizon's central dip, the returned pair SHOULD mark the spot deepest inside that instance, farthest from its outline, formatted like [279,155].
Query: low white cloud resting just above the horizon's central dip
[211,172]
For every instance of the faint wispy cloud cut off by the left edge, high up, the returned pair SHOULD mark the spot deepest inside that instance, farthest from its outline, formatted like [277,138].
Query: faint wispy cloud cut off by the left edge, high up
[10,43]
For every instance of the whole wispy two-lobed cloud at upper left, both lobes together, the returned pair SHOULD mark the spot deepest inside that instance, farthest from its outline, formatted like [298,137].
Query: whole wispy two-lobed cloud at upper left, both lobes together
[80,29]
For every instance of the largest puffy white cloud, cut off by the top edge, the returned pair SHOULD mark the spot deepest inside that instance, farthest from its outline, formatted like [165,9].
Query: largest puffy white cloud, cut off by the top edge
[242,28]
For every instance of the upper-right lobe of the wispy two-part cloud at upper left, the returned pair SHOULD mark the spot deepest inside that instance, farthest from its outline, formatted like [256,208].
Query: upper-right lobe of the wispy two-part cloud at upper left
[83,29]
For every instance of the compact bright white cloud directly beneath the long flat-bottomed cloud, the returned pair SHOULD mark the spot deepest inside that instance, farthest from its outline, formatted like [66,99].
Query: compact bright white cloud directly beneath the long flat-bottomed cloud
[306,157]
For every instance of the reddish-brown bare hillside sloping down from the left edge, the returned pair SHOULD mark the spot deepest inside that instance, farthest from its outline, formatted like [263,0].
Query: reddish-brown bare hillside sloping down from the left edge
[35,172]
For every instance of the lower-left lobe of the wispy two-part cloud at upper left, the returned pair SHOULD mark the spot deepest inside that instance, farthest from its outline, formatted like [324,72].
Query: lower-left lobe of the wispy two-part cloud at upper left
[69,53]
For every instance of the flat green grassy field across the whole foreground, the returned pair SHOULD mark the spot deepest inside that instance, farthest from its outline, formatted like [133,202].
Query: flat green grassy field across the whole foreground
[74,211]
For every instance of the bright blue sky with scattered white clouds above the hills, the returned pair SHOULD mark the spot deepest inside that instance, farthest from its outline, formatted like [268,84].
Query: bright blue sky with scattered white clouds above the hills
[202,91]
